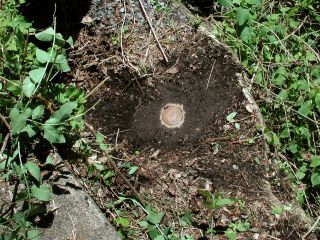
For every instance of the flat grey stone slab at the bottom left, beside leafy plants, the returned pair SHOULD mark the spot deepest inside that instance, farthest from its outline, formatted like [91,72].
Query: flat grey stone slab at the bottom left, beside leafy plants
[77,216]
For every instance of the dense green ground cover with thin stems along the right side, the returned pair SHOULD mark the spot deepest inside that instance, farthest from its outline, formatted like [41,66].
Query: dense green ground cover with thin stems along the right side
[278,44]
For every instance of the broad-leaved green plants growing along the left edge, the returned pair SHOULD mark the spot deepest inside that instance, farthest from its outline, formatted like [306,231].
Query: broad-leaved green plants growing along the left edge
[34,109]
